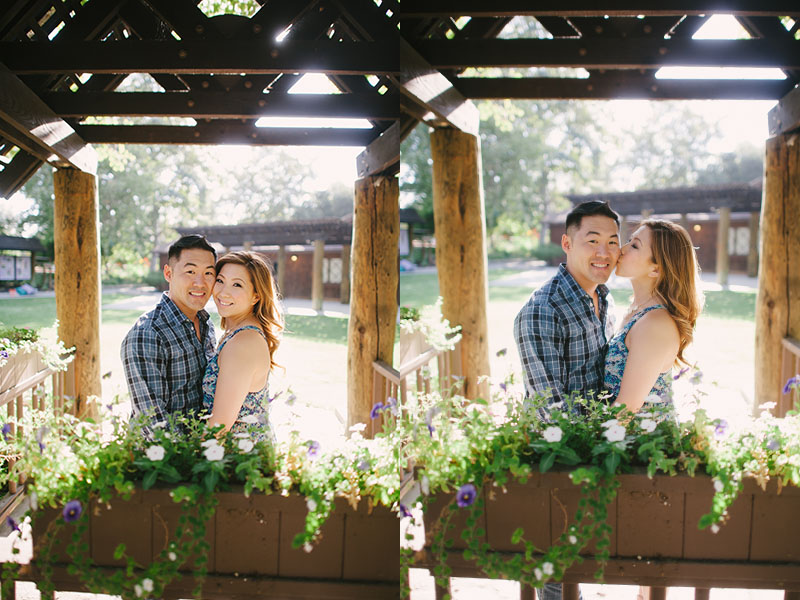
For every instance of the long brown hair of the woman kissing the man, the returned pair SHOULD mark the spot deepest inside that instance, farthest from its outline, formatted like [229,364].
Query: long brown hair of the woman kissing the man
[677,284]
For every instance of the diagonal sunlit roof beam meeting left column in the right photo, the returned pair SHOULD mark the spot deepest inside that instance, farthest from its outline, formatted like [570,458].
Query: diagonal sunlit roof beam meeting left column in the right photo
[433,93]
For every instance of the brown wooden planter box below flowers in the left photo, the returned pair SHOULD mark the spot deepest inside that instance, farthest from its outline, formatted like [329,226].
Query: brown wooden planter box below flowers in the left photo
[251,552]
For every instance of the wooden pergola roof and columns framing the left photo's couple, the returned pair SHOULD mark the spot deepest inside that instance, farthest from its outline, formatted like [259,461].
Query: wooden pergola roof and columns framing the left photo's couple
[63,61]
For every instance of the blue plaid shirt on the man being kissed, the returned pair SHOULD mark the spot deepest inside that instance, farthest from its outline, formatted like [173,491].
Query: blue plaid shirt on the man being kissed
[561,341]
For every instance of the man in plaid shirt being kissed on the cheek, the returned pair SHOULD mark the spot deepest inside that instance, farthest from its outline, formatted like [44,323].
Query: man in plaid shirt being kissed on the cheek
[562,331]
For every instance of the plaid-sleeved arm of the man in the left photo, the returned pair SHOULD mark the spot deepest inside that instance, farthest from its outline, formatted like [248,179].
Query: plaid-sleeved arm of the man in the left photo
[145,371]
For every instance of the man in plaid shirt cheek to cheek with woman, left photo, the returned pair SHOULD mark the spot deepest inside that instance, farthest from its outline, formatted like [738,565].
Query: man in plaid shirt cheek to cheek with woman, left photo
[165,353]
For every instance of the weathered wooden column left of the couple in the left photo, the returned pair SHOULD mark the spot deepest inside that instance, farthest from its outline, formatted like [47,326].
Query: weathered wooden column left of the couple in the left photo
[77,281]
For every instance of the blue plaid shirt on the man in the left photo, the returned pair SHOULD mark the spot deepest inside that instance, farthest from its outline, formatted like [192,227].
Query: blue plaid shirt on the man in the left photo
[165,361]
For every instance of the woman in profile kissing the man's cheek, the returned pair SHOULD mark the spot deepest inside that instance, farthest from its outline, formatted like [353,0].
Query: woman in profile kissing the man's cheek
[662,266]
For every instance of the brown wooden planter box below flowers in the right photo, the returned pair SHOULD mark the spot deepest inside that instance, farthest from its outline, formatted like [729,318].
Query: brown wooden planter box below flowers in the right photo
[655,539]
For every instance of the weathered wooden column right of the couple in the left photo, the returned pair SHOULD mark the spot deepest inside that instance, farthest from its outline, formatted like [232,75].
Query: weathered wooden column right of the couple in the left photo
[373,302]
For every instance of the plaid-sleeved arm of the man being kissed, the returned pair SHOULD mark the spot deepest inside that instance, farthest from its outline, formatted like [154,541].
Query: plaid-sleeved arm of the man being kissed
[539,341]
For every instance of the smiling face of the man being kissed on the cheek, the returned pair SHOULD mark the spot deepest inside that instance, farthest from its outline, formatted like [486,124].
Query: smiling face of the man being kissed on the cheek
[592,250]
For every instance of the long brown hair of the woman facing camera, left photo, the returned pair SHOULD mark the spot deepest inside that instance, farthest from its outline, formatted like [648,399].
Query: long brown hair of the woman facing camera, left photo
[265,310]
